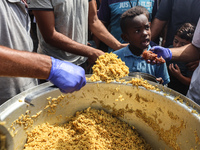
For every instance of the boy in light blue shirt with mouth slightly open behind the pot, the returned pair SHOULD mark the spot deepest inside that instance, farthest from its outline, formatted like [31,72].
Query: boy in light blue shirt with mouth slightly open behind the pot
[136,31]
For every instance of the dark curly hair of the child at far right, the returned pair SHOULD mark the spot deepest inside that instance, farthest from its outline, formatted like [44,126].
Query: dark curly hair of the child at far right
[186,31]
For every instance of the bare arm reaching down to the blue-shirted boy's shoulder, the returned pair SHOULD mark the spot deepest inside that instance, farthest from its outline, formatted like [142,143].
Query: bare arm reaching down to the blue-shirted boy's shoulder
[99,30]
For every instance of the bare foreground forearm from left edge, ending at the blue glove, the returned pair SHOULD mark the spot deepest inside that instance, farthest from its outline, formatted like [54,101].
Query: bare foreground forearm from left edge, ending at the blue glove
[24,64]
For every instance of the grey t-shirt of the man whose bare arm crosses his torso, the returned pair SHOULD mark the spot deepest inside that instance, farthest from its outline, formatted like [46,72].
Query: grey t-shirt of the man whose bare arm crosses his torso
[71,19]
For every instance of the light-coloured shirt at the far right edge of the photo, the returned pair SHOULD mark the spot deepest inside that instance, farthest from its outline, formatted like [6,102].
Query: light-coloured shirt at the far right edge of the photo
[194,90]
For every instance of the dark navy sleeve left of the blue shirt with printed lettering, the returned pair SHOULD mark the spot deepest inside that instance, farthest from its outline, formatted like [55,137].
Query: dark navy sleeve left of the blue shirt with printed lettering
[104,11]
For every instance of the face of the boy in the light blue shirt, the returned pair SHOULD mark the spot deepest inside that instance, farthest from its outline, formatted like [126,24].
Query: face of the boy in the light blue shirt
[138,32]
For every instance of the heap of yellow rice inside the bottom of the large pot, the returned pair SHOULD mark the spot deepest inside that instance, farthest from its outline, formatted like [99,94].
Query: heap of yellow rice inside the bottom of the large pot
[88,129]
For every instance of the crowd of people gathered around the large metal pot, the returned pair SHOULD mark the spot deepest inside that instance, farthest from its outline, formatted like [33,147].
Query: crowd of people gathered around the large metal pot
[169,28]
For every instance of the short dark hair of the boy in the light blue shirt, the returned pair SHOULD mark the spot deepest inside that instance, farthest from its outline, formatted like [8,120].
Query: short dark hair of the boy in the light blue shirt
[130,14]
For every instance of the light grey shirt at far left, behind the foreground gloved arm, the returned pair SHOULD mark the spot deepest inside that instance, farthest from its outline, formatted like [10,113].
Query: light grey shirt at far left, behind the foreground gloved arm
[14,27]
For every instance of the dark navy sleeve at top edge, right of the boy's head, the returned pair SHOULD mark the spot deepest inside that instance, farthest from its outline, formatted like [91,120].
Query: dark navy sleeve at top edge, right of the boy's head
[165,9]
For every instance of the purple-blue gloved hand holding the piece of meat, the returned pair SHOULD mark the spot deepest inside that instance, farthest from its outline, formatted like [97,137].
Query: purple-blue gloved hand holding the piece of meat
[161,51]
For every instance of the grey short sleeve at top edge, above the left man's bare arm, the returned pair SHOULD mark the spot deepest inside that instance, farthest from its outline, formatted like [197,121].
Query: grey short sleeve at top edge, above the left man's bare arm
[40,5]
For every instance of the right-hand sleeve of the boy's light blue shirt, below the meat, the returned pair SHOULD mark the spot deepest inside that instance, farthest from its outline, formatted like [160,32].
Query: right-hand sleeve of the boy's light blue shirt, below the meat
[163,73]
